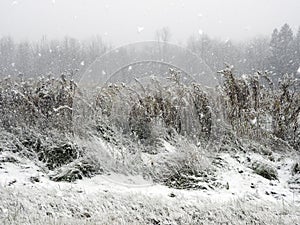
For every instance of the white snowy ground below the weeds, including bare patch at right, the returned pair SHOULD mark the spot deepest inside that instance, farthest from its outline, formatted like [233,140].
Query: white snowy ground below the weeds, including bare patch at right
[28,196]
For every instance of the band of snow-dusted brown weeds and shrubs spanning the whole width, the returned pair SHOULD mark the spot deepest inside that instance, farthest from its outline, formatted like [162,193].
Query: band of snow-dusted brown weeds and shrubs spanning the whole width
[137,117]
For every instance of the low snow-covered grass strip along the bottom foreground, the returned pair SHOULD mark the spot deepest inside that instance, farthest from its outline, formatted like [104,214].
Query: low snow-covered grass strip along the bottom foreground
[105,203]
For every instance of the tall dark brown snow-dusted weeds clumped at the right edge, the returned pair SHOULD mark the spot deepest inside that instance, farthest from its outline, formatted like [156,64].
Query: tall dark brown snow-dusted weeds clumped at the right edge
[256,108]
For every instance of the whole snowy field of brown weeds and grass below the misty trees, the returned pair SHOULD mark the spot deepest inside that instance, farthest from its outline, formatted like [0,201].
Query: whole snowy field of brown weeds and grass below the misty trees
[159,152]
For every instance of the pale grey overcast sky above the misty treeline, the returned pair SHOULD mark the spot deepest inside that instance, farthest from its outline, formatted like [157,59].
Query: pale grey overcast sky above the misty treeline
[124,21]
